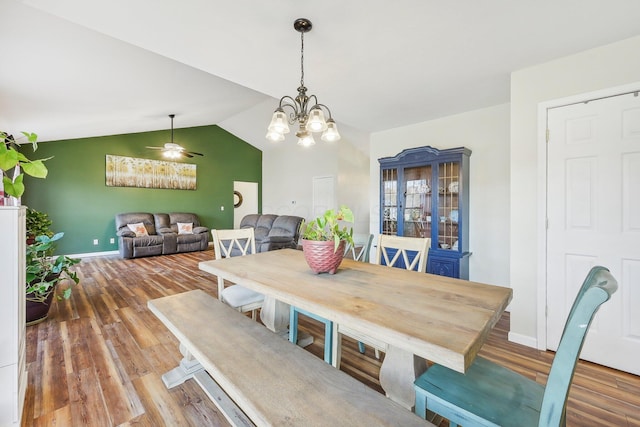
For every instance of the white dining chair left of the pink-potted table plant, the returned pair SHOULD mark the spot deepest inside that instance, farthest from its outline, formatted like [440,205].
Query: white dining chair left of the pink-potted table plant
[240,242]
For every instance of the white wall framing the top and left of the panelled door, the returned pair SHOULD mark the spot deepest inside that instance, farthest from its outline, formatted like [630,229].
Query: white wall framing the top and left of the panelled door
[613,65]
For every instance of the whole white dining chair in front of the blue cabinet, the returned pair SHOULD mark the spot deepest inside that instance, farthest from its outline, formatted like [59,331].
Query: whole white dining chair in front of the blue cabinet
[394,251]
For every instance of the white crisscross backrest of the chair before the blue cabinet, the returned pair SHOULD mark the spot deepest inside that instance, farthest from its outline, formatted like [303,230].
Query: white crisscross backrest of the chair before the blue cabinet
[413,251]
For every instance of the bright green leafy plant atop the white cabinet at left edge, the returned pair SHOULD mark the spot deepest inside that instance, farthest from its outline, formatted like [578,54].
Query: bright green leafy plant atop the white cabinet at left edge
[14,164]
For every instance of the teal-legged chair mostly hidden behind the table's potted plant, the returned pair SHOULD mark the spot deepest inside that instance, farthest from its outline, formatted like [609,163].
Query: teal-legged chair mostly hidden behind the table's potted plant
[359,251]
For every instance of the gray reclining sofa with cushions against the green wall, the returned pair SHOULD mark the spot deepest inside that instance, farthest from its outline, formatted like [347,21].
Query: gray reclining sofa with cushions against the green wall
[162,236]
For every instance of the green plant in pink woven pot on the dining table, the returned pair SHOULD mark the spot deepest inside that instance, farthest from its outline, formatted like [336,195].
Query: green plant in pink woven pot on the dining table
[324,240]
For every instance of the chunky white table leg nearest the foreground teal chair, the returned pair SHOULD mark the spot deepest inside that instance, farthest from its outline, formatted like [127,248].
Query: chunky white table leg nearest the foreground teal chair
[399,370]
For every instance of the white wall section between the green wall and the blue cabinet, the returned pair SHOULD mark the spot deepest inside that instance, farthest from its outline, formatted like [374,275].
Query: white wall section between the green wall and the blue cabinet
[288,169]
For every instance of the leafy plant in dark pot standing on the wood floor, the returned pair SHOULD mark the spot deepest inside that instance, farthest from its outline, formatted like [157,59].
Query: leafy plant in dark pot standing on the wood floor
[44,273]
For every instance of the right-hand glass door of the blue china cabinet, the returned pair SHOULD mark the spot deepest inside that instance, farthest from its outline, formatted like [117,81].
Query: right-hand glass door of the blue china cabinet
[448,205]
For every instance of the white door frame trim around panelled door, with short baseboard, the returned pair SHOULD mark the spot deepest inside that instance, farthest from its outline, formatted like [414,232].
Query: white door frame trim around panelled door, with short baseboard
[542,201]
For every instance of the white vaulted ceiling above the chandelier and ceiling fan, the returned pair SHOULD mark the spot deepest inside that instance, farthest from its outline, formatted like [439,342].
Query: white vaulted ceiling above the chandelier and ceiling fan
[77,68]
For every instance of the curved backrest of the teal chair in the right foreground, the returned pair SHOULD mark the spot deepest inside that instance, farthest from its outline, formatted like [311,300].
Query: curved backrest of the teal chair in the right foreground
[597,288]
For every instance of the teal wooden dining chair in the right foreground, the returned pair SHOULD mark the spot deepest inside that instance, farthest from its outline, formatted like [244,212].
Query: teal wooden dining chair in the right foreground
[491,395]
